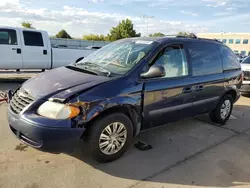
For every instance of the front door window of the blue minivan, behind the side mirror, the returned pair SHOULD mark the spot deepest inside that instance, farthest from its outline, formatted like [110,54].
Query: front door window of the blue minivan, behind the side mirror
[173,59]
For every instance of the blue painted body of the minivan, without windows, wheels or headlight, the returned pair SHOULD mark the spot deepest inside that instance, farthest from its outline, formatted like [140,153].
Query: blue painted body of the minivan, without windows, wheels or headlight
[151,102]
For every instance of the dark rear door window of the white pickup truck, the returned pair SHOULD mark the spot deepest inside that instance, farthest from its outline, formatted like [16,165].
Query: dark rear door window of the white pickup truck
[32,38]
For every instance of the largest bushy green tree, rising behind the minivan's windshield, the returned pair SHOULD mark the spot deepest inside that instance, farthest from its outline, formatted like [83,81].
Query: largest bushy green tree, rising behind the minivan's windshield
[124,29]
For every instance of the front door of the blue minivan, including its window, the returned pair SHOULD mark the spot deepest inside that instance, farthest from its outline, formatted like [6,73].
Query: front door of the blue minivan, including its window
[169,98]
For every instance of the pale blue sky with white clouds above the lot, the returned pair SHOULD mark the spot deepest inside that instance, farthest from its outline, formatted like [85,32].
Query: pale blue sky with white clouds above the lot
[82,17]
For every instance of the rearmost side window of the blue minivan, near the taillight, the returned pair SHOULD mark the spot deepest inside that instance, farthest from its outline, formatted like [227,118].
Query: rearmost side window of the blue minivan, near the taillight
[229,59]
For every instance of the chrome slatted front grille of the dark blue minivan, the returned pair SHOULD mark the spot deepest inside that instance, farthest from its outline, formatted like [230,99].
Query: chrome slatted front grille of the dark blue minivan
[20,100]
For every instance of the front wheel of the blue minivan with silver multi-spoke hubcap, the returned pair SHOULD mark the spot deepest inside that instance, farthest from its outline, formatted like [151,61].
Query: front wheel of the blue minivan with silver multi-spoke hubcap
[100,126]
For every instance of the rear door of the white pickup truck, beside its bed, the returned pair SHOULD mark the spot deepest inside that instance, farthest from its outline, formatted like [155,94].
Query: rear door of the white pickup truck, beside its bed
[35,51]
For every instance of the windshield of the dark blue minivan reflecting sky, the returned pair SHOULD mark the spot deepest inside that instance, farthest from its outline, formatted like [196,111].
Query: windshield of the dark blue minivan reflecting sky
[119,57]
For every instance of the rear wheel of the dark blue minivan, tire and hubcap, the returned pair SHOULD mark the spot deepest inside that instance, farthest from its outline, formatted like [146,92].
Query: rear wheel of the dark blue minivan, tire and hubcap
[216,115]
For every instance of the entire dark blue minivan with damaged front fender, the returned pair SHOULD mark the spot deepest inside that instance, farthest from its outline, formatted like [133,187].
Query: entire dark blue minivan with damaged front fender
[123,88]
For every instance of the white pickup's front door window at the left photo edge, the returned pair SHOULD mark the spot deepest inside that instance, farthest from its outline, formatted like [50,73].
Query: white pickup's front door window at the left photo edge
[8,36]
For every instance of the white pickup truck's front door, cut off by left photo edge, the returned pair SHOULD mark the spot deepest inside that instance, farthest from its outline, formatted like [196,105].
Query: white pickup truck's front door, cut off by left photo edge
[10,49]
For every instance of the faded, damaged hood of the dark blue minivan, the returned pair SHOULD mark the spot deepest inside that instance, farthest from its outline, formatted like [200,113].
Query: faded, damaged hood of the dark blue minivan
[57,80]
